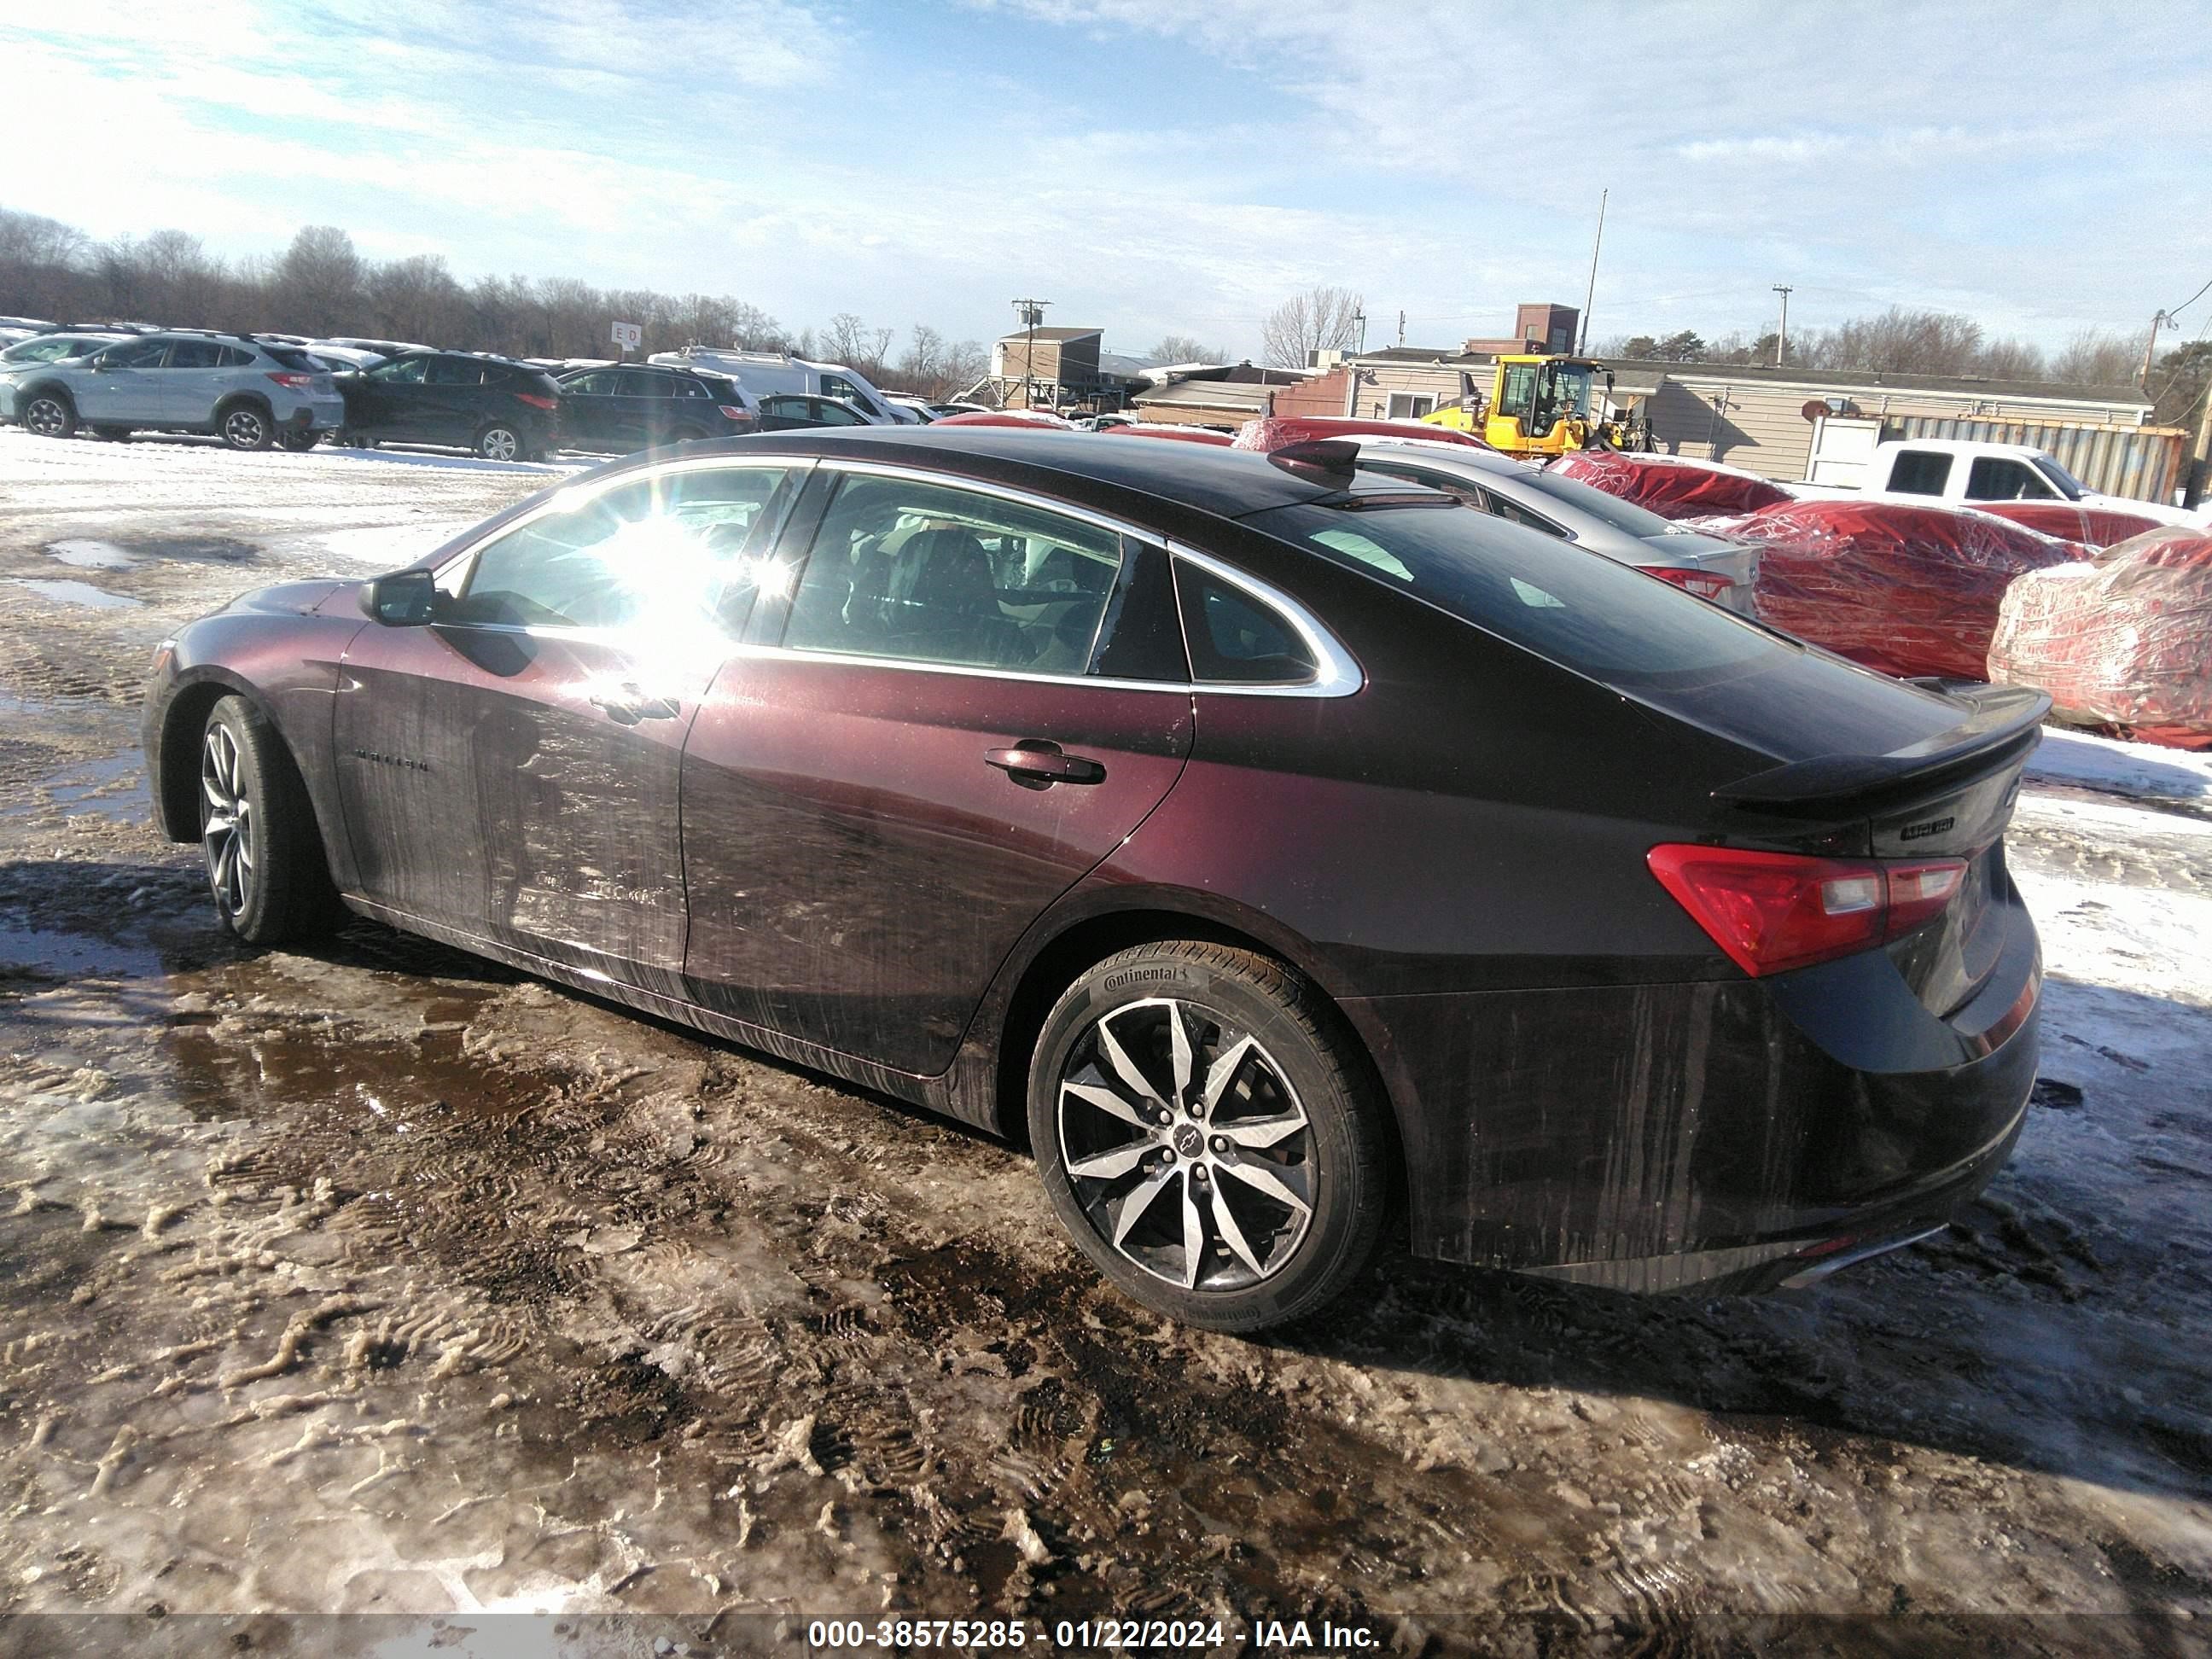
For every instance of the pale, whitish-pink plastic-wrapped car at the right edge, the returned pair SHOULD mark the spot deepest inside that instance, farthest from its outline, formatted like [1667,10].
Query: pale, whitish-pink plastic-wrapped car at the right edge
[2125,643]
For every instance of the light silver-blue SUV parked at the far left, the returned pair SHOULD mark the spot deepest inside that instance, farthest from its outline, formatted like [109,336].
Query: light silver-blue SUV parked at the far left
[244,390]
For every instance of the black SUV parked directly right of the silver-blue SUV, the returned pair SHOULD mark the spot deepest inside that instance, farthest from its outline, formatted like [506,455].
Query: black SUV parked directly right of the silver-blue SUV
[494,406]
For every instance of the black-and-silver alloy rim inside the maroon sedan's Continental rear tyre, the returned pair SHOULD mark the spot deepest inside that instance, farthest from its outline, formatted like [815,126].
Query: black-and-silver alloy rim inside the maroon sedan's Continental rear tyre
[1187,1147]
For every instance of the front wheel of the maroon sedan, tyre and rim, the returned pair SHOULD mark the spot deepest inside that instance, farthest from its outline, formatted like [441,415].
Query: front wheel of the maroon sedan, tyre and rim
[258,831]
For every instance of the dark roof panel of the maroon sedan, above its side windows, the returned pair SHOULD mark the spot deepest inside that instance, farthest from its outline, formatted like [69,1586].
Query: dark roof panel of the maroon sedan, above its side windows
[1229,483]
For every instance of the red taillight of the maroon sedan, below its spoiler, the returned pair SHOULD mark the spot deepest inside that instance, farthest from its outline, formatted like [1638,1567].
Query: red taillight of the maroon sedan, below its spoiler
[1780,910]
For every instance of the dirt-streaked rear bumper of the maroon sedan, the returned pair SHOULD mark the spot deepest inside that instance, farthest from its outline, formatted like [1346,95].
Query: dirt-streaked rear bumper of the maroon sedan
[1718,1136]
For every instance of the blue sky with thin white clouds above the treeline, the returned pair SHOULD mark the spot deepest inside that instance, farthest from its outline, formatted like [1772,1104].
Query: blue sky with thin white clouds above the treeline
[1167,165]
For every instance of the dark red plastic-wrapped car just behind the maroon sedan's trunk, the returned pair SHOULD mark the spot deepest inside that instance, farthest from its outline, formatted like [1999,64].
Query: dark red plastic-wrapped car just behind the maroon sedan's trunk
[1903,589]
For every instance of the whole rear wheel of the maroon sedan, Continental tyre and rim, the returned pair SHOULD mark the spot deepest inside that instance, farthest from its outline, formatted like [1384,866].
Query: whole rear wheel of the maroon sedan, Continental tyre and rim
[1209,1134]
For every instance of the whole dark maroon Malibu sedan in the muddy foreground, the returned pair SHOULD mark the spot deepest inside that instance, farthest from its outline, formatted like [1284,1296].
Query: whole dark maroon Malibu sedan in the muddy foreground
[1280,846]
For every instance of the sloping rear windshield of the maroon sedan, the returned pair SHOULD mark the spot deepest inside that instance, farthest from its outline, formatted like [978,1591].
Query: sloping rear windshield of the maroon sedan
[1578,609]
